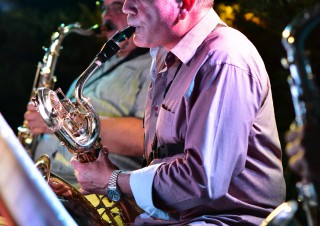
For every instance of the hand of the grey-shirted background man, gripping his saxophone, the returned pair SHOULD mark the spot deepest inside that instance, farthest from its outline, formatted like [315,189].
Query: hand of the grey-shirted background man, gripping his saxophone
[35,121]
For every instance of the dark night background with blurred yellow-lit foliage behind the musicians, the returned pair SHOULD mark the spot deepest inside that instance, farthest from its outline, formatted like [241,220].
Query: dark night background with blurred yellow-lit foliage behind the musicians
[26,26]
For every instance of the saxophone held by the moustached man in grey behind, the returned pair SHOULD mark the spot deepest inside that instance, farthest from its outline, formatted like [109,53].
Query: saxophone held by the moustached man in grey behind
[45,75]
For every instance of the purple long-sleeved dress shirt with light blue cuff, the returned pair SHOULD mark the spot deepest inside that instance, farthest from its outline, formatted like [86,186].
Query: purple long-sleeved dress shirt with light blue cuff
[216,100]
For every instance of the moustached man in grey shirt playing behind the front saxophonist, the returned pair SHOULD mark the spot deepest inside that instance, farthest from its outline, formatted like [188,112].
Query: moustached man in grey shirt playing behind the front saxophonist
[118,92]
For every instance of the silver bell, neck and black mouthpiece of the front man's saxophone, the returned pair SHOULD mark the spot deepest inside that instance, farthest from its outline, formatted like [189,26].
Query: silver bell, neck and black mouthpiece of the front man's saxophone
[77,124]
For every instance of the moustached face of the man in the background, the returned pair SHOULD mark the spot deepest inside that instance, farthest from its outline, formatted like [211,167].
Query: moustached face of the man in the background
[113,17]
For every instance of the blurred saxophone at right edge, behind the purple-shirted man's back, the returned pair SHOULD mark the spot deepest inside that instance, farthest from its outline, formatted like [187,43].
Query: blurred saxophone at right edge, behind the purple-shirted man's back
[306,99]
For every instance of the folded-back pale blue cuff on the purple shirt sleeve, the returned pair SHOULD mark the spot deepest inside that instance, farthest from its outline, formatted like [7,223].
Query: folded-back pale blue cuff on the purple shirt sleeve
[141,182]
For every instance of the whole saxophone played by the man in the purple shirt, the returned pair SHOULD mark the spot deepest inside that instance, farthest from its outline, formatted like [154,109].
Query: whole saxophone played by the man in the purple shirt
[77,126]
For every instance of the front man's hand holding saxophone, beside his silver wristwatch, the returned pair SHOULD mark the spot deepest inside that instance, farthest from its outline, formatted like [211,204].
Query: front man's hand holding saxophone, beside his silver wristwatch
[94,176]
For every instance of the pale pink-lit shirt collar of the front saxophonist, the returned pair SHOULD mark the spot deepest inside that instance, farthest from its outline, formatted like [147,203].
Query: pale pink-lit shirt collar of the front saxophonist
[188,45]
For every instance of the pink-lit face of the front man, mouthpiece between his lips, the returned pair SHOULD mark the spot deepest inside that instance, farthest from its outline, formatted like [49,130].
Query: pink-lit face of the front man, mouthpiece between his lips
[155,21]
